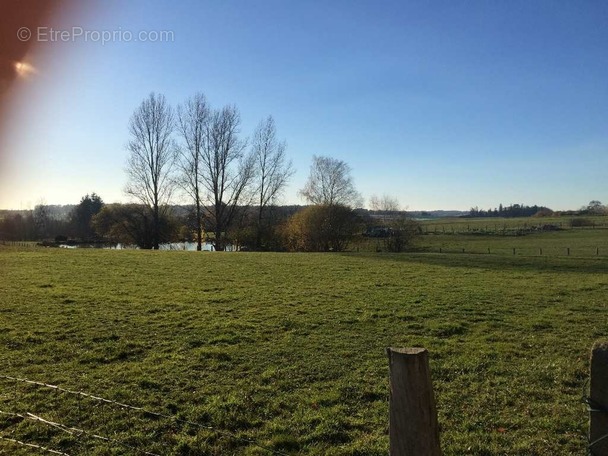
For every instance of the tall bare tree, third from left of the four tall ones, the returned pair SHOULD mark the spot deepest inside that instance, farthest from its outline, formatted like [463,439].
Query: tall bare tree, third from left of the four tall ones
[226,172]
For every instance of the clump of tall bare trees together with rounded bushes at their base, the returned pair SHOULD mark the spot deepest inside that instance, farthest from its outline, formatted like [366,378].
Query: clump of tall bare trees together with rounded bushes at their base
[233,184]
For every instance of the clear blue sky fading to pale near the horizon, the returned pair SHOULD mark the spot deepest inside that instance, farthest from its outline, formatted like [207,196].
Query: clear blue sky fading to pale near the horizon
[441,104]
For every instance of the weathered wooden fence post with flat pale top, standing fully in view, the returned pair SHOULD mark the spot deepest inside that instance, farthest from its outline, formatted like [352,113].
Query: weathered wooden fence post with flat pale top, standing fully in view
[413,427]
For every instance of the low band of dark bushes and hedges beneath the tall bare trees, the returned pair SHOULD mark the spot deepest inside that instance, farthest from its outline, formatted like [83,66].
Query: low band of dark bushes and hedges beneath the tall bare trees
[320,227]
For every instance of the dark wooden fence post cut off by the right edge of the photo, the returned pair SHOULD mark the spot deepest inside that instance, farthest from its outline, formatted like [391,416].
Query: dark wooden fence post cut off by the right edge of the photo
[598,400]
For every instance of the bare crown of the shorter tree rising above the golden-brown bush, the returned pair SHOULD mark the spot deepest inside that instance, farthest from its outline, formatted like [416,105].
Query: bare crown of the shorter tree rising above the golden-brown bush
[330,184]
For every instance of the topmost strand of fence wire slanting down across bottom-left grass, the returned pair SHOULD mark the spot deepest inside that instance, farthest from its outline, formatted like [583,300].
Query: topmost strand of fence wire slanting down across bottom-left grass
[148,412]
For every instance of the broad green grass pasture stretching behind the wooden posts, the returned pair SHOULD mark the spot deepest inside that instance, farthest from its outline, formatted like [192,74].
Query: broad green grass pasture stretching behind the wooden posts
[288,350]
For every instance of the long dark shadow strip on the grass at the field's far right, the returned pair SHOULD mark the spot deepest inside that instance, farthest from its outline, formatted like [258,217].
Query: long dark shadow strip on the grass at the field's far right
[499,262]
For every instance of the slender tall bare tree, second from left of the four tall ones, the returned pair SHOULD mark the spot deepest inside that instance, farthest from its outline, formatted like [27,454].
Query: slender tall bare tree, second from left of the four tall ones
[193,126]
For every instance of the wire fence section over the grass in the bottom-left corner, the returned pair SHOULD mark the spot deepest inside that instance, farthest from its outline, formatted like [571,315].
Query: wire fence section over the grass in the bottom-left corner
[90,423]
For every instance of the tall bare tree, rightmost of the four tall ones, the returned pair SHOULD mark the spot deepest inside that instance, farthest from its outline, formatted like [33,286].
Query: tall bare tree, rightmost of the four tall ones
[272,169]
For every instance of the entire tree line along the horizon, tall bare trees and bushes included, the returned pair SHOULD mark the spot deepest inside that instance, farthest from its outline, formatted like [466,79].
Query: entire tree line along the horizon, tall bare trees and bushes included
[233,184]
